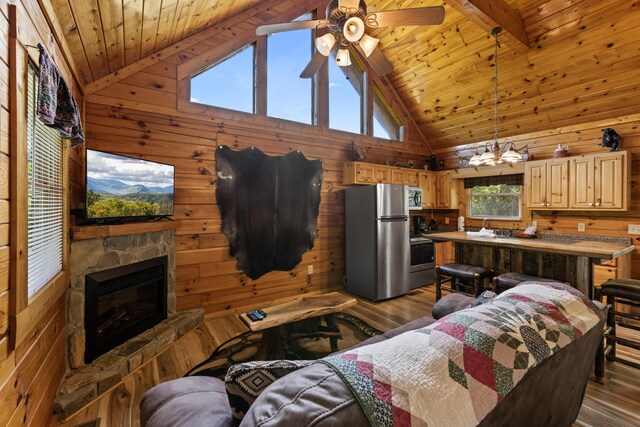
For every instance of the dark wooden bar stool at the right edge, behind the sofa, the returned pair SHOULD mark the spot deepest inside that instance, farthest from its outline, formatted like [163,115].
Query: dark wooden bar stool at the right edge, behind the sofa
[626,292]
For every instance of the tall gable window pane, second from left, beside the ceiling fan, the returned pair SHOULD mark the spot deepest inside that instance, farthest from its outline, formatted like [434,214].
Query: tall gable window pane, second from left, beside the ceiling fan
[288,96]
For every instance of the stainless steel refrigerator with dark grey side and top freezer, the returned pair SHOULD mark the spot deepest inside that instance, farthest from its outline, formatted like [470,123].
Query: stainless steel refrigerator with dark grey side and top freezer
[377,234]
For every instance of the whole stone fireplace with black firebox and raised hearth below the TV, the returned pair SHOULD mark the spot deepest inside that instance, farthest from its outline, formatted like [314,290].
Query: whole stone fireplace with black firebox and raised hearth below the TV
[95,258]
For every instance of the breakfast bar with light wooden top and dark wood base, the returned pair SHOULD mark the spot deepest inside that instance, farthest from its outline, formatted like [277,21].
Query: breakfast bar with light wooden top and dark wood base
[567,260]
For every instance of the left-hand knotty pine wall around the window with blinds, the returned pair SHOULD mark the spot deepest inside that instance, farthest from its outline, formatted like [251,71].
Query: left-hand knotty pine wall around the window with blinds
[30,373]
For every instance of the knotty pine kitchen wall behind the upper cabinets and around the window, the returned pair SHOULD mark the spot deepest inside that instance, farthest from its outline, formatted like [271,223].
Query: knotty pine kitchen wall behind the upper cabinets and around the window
[581,139]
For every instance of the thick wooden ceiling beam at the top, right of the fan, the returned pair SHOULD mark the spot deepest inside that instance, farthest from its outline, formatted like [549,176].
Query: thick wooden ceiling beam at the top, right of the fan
[489,14]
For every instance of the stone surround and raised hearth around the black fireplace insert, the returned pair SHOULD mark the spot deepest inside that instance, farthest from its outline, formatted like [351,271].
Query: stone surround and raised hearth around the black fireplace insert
[85,382]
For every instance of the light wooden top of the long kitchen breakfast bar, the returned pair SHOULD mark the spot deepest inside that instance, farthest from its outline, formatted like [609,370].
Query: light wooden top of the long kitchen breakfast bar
[578,248]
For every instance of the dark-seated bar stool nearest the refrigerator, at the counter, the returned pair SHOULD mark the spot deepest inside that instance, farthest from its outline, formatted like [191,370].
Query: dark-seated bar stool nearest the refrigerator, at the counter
[461,276]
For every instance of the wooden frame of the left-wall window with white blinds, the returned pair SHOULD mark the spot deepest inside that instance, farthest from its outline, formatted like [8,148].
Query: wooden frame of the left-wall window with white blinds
[26,313]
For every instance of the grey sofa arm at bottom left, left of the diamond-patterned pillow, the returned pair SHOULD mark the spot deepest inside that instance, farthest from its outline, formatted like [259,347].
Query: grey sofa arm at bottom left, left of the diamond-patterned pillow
[192,401]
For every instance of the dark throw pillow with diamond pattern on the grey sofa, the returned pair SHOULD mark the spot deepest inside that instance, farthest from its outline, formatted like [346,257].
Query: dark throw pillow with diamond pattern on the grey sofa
[245,381]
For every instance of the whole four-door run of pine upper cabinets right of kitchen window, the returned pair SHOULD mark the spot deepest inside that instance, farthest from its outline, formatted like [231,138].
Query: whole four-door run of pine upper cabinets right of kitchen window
[598,181]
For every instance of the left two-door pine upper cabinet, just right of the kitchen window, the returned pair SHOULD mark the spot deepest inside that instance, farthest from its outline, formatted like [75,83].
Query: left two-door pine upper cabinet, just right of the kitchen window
[547,184]
